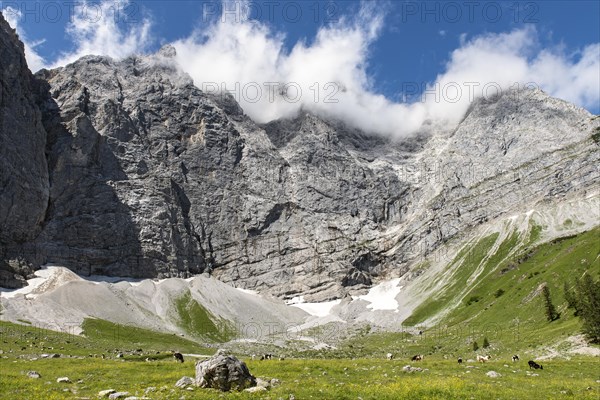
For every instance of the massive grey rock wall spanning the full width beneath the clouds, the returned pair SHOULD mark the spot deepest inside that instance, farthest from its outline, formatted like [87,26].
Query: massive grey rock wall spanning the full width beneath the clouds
[144,175]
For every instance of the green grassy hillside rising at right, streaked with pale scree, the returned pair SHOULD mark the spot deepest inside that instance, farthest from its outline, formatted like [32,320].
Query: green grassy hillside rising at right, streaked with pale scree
[507,309]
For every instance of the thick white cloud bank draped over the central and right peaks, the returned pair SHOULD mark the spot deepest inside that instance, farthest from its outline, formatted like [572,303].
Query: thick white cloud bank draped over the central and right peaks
[236,53]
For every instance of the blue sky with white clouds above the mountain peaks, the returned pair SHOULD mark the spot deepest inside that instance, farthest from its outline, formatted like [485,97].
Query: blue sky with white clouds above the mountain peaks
[383,53]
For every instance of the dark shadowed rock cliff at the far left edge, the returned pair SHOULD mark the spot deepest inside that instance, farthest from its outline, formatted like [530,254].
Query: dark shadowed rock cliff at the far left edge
[24,185]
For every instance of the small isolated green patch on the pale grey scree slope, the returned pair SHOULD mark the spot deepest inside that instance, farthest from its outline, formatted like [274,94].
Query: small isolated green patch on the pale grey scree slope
[199,323]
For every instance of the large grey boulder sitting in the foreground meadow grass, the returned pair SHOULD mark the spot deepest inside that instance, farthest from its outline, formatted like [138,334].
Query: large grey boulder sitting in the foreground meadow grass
[224,372]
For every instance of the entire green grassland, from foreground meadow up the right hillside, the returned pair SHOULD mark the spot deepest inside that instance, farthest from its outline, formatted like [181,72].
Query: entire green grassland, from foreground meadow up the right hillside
[502,305]
